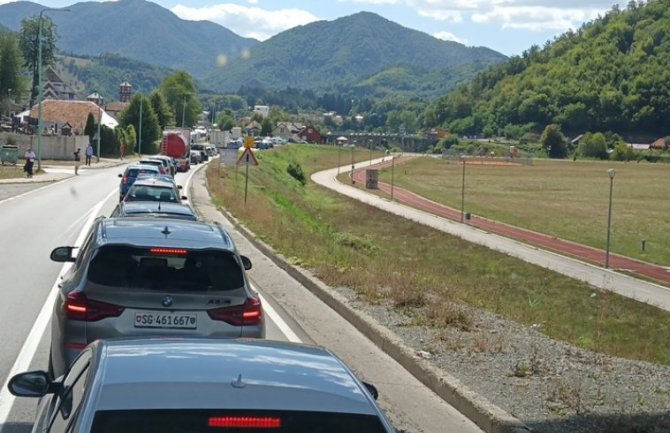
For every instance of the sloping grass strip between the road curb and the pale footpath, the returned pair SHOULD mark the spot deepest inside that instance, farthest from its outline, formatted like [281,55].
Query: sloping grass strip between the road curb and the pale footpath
[423,273]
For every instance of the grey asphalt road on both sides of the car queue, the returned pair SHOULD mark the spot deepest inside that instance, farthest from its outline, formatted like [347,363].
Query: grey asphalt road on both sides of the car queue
[35,221]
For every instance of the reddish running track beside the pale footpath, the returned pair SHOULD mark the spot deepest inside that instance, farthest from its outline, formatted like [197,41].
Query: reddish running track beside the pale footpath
[588,254]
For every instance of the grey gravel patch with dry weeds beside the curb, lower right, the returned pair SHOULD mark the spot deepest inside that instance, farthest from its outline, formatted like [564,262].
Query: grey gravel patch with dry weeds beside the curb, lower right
[550,386]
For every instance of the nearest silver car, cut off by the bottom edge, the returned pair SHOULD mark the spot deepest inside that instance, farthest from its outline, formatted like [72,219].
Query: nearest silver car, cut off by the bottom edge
[203,386]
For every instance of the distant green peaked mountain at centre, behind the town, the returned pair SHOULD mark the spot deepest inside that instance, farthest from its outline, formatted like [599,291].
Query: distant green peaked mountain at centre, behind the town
[351,49]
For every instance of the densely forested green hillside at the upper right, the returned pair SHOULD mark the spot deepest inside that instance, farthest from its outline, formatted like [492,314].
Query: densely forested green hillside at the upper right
[613,74]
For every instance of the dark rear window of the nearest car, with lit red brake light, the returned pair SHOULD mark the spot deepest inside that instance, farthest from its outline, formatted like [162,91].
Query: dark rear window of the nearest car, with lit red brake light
[180,421]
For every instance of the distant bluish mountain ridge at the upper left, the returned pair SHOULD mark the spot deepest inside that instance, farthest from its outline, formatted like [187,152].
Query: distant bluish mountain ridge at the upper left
[137,29]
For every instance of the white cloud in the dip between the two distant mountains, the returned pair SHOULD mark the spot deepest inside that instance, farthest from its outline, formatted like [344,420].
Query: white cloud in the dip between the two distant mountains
[252,22]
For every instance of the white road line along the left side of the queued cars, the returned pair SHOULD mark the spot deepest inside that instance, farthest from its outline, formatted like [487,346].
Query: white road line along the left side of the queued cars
[29,348]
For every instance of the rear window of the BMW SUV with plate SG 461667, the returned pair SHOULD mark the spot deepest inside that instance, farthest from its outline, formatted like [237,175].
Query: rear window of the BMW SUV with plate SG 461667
[165,269]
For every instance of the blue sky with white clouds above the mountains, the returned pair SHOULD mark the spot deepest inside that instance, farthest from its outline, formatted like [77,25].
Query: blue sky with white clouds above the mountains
[507,26]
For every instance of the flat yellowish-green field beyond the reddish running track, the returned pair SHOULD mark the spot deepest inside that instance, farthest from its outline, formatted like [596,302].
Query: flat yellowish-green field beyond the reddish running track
[566,199]
